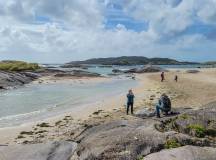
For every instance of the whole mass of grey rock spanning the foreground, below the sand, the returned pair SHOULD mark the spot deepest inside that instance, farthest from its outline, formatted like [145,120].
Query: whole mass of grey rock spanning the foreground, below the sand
[146,138]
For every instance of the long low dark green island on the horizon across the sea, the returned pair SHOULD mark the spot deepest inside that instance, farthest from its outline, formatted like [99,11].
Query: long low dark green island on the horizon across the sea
[130,60]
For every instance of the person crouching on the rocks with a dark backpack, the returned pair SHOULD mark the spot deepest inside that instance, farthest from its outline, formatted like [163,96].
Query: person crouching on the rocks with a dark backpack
[164,104]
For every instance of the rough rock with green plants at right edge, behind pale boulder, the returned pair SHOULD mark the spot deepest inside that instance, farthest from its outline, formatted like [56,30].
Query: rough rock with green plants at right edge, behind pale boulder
[197,123]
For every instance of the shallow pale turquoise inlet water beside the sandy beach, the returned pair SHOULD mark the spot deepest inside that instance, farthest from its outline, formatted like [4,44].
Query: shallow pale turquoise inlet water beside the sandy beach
[39,101]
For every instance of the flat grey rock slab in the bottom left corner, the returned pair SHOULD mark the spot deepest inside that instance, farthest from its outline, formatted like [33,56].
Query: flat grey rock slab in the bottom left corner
[49,151]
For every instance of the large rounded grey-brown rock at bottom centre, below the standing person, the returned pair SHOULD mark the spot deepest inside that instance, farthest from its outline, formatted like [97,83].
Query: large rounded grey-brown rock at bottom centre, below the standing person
[123,139]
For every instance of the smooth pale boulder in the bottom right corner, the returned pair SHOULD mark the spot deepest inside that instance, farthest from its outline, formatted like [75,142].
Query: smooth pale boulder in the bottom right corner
[185,153]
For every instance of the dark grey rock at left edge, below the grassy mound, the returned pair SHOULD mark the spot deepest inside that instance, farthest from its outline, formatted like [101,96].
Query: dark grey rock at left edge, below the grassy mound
[12,79]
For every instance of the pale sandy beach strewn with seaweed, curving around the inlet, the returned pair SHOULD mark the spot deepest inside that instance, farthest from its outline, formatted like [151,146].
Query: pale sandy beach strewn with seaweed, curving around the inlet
[192,90]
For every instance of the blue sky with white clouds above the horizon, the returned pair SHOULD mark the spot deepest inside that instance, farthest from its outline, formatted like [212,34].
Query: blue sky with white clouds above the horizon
[58,31]
